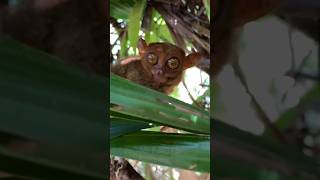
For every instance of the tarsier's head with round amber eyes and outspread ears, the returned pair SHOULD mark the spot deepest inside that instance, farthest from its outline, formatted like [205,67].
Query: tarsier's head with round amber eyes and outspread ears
[165,61]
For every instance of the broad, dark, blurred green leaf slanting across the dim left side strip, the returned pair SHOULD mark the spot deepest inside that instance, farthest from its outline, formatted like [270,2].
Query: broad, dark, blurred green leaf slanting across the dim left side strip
[45,96]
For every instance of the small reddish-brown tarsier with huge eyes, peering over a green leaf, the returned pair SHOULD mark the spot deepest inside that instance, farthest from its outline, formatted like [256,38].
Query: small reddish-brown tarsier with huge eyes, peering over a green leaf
[159,66]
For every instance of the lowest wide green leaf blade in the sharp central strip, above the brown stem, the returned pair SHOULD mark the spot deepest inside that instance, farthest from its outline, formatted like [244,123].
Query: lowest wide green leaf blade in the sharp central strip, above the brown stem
[175,150]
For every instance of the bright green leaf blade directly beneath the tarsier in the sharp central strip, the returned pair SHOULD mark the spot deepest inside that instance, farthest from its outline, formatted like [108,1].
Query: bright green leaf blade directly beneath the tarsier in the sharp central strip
[136,100]
